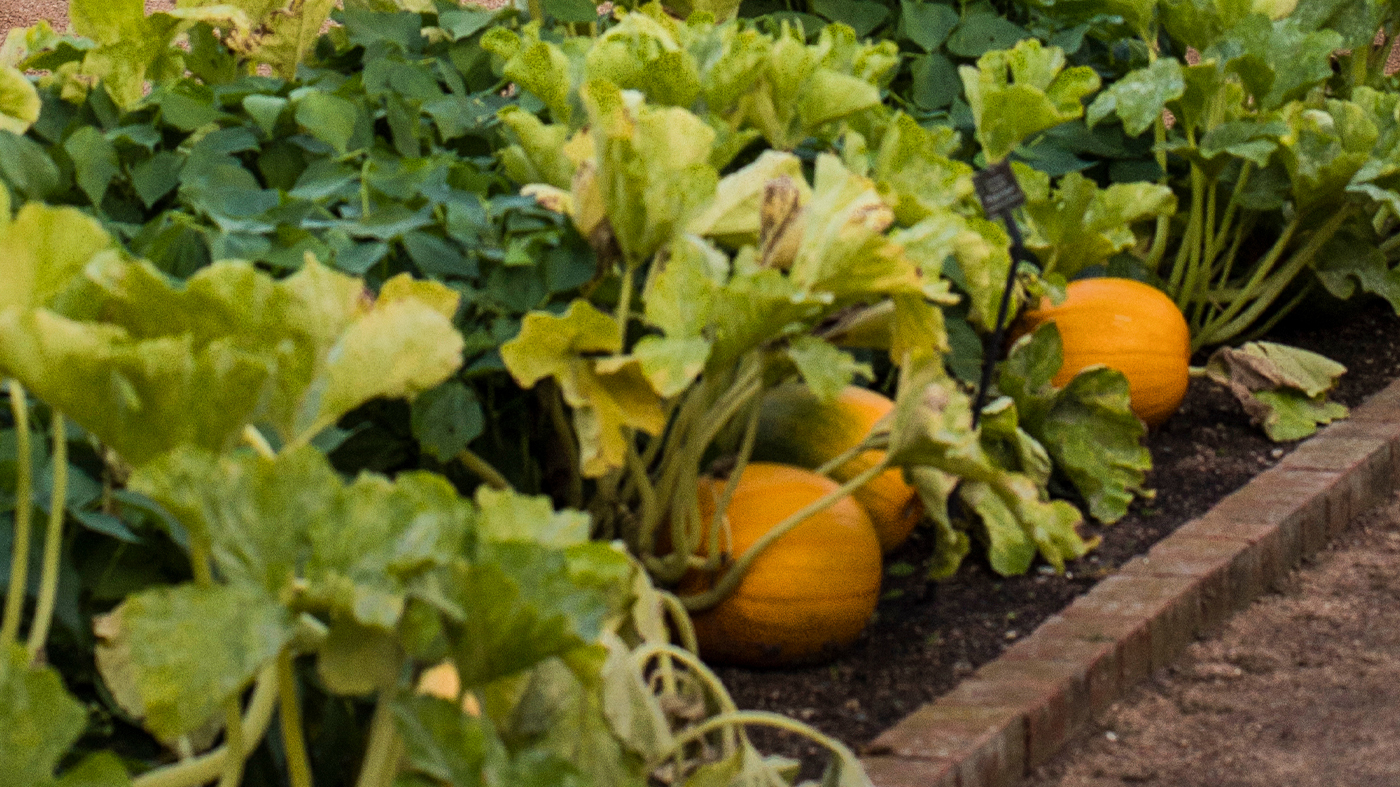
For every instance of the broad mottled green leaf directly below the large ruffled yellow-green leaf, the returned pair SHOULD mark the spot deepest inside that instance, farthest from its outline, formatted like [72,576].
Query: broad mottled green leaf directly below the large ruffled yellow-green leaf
[292,529]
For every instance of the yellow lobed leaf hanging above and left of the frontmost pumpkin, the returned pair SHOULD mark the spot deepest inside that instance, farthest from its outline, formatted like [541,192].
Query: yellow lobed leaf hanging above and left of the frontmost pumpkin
[610,396]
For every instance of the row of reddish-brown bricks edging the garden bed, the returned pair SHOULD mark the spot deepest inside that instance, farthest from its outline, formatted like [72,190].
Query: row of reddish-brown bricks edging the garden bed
[1018,711]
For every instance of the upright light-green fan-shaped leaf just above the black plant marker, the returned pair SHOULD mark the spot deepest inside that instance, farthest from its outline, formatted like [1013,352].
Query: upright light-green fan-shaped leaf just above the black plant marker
[1023,92]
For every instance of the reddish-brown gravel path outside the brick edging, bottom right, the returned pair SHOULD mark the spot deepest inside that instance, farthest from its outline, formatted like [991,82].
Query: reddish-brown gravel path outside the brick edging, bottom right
[1300,691]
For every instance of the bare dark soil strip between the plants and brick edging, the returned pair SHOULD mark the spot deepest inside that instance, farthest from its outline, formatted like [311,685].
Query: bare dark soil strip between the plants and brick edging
[927,636]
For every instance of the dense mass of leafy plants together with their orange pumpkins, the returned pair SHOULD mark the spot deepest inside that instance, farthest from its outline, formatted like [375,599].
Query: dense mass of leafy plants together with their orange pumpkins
[447,347]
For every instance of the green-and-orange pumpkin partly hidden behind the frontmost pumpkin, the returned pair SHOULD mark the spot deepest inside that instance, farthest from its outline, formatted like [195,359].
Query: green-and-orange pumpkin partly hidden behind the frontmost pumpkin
[799,429]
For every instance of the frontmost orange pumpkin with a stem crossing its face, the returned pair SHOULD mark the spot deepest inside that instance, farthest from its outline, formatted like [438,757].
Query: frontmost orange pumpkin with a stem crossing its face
[810,593]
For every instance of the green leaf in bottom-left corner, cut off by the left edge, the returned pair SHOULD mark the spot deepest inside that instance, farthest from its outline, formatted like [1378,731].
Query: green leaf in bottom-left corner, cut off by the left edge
[38,720]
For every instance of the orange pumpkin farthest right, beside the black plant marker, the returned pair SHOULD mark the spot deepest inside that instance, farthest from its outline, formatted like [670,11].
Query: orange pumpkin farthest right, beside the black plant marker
[1125,326]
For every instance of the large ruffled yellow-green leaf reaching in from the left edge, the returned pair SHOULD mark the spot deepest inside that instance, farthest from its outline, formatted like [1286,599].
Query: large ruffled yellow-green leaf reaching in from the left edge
[197,362]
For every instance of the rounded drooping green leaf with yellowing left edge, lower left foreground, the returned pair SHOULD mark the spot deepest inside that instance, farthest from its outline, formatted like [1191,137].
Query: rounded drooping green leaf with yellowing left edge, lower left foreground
[195,648]
